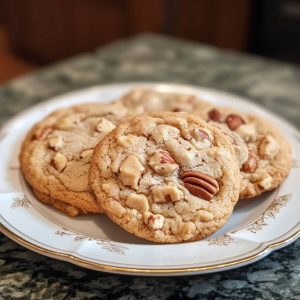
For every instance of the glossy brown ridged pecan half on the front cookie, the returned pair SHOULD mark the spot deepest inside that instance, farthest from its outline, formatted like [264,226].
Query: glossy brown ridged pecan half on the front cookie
[200,185]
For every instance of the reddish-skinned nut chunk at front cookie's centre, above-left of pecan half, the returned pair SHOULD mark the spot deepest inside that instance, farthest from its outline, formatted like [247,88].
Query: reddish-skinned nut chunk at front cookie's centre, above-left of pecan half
[162,163]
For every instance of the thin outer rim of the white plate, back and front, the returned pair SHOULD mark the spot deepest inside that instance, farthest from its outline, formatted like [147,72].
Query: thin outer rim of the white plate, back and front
[267,248]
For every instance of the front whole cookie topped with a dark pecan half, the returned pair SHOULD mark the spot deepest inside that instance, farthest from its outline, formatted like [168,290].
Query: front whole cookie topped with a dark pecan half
[166,177]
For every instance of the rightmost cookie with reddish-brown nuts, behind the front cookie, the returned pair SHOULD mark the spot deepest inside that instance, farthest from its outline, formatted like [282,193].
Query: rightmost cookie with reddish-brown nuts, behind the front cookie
[269,156]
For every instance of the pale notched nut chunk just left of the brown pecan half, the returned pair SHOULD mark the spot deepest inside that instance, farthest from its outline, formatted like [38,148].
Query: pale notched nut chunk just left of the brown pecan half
[167,193]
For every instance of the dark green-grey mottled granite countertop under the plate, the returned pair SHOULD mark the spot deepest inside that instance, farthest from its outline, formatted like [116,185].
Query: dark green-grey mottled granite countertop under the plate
[27,275]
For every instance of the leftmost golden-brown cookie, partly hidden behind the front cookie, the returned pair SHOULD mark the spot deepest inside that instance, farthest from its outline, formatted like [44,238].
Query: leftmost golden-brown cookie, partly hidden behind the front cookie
[55,156]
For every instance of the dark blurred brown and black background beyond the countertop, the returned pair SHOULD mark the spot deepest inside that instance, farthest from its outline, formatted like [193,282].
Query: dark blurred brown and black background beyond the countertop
[34,33]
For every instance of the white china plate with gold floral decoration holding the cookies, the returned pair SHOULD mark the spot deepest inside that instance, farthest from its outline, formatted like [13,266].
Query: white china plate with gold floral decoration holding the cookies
[256,227]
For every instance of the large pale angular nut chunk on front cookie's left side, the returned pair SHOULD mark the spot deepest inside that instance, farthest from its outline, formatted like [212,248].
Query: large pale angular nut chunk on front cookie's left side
[130,171]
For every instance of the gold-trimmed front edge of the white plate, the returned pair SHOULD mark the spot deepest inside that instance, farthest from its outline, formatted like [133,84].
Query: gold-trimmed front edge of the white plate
[101,267]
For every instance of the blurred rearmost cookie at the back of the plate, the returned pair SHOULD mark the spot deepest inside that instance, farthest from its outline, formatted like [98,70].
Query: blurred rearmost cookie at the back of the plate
[142,100]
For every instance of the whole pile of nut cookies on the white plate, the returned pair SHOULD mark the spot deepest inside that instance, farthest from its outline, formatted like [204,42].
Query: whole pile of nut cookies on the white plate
[166,167]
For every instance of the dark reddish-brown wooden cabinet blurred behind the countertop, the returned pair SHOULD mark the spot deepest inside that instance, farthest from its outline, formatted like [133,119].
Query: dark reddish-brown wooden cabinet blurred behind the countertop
[49,30]
